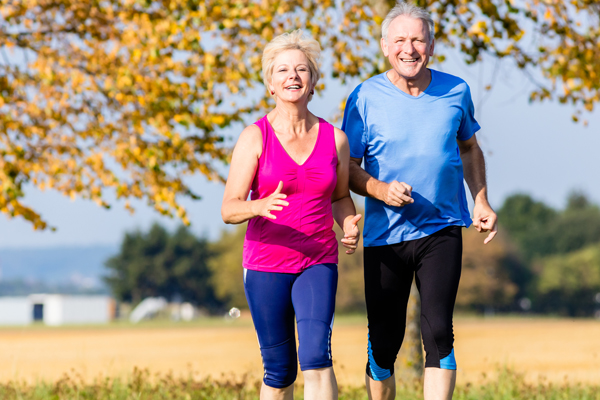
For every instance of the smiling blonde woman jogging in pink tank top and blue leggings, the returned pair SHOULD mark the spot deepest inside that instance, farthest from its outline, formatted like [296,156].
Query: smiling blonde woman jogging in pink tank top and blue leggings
[296,165]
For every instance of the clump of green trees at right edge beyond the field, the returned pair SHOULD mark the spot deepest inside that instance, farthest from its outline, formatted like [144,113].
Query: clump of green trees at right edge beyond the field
[557,247]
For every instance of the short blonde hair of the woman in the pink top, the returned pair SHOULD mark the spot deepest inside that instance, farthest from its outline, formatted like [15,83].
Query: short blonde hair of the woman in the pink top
[292,41]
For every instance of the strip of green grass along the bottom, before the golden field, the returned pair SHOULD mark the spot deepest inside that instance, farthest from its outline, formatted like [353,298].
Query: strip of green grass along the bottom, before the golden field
[143,385]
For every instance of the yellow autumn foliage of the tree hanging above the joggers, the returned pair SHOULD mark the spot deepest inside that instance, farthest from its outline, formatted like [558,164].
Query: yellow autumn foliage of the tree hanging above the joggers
[127,97]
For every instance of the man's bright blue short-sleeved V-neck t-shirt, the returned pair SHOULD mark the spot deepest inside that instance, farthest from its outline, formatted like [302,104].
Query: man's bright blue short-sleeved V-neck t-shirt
[413,140]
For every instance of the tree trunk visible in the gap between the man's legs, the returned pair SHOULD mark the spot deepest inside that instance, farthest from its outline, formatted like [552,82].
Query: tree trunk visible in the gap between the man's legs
[409,365]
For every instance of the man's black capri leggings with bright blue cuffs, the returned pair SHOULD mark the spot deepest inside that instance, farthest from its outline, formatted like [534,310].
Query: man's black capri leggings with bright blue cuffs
[435,261]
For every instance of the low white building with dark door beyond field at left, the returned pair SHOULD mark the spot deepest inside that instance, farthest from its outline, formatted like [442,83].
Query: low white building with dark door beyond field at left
[56,309]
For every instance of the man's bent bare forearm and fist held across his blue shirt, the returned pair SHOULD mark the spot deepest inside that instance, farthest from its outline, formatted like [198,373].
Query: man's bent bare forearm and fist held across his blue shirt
[395,193]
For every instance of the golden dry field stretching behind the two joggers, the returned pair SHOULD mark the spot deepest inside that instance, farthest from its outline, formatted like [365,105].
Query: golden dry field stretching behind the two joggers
[543,350]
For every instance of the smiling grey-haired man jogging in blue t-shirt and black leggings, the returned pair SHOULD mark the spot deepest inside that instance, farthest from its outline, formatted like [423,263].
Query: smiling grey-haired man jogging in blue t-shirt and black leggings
[415,129]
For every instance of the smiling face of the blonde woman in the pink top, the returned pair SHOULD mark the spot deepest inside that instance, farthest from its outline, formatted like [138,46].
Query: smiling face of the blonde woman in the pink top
[291,76]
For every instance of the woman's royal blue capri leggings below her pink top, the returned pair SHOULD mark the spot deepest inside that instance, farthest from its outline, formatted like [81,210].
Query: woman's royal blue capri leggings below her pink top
[274,299]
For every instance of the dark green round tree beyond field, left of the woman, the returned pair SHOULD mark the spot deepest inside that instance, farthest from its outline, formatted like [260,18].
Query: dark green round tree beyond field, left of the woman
[158,263]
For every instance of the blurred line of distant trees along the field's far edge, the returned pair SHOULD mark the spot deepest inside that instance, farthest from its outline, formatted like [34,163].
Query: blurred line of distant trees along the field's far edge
[544,260]
